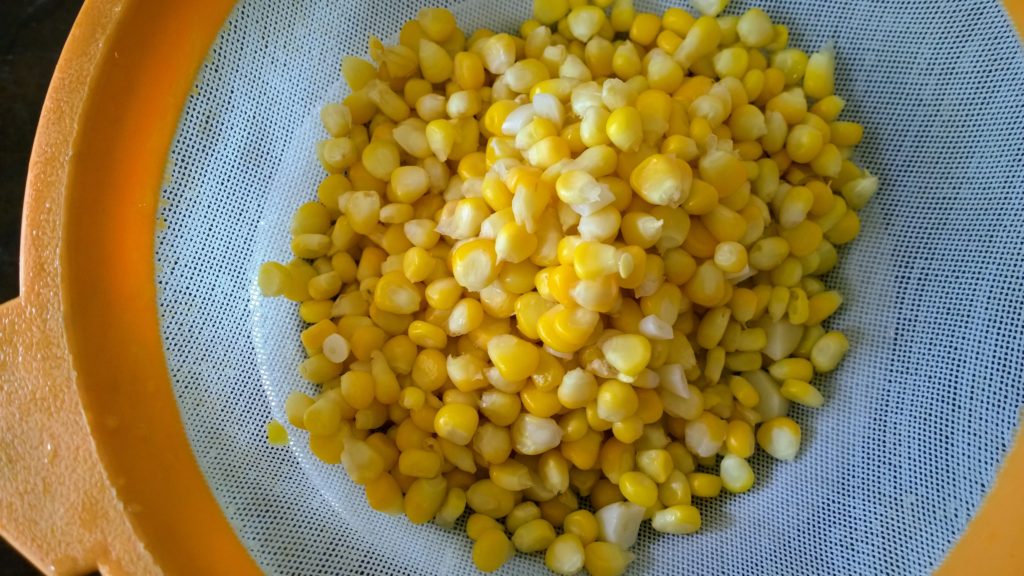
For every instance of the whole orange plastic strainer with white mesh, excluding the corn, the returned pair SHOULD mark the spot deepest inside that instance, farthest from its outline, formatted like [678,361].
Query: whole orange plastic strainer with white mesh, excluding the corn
[140,366]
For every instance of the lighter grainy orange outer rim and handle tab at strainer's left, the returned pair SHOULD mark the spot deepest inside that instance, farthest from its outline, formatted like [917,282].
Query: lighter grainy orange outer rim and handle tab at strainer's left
[59,508]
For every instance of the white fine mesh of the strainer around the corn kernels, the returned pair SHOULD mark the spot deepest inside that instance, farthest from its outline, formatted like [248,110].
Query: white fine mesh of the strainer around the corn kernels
[919,417]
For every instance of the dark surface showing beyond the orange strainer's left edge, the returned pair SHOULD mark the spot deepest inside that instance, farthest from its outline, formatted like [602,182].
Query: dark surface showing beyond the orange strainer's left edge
[32,34]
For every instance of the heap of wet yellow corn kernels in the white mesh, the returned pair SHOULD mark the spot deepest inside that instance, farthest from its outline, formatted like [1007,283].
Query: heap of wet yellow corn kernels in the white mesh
[579,266]
